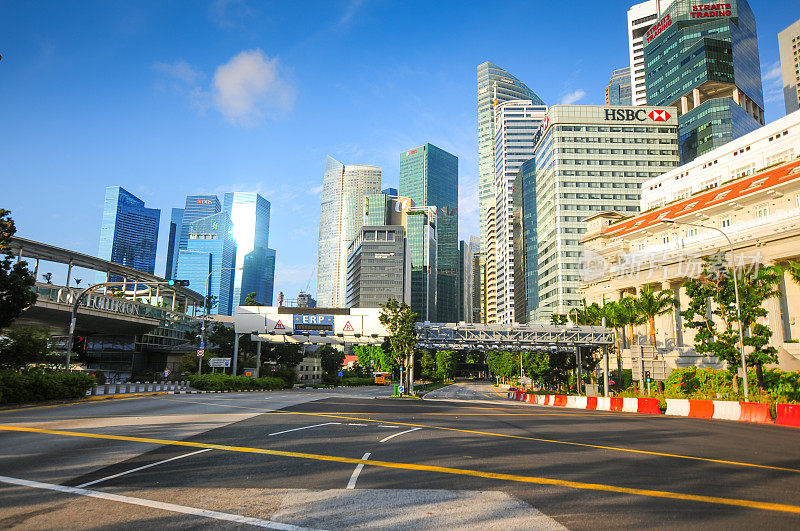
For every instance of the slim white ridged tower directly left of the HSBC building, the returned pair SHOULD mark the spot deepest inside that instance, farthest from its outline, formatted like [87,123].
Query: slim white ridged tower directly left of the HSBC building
[516,122]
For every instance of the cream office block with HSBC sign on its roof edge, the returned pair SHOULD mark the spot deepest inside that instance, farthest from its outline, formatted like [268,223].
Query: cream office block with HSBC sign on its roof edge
[591,159]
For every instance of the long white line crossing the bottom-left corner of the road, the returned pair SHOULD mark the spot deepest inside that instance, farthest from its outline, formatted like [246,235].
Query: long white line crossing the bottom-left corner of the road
[205,513]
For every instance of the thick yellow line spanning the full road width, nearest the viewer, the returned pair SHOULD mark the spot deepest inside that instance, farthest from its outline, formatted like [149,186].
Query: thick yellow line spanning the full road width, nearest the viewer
[768,506]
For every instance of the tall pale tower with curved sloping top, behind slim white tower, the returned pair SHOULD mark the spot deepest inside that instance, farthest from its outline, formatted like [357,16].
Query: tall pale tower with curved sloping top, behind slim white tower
[495,85]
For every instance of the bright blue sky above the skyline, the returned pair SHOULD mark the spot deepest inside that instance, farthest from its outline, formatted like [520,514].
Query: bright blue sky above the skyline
[169,98]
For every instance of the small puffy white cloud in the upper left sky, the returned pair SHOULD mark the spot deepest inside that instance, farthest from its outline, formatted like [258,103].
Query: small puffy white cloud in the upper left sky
[250,86]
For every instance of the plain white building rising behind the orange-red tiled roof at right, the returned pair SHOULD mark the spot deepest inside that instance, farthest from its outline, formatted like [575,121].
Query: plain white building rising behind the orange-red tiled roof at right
[771,144]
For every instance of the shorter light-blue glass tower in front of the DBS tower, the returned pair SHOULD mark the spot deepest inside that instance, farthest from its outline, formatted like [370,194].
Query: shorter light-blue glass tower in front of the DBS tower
[208,260]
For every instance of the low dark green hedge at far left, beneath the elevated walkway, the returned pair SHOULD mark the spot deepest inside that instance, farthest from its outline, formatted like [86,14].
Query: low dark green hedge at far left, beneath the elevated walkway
[35,384]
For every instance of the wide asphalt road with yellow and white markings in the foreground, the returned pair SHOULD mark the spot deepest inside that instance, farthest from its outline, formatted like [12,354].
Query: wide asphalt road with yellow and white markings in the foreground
[462,458]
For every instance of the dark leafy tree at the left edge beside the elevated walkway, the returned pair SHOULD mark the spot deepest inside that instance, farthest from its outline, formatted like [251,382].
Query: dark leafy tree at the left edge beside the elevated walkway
[15,279]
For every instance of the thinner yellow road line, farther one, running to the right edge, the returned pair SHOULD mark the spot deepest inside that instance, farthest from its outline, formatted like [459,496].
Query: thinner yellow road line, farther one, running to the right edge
[509,436]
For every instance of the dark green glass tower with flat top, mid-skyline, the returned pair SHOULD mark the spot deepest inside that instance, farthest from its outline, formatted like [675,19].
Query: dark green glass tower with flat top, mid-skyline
[429,176]
